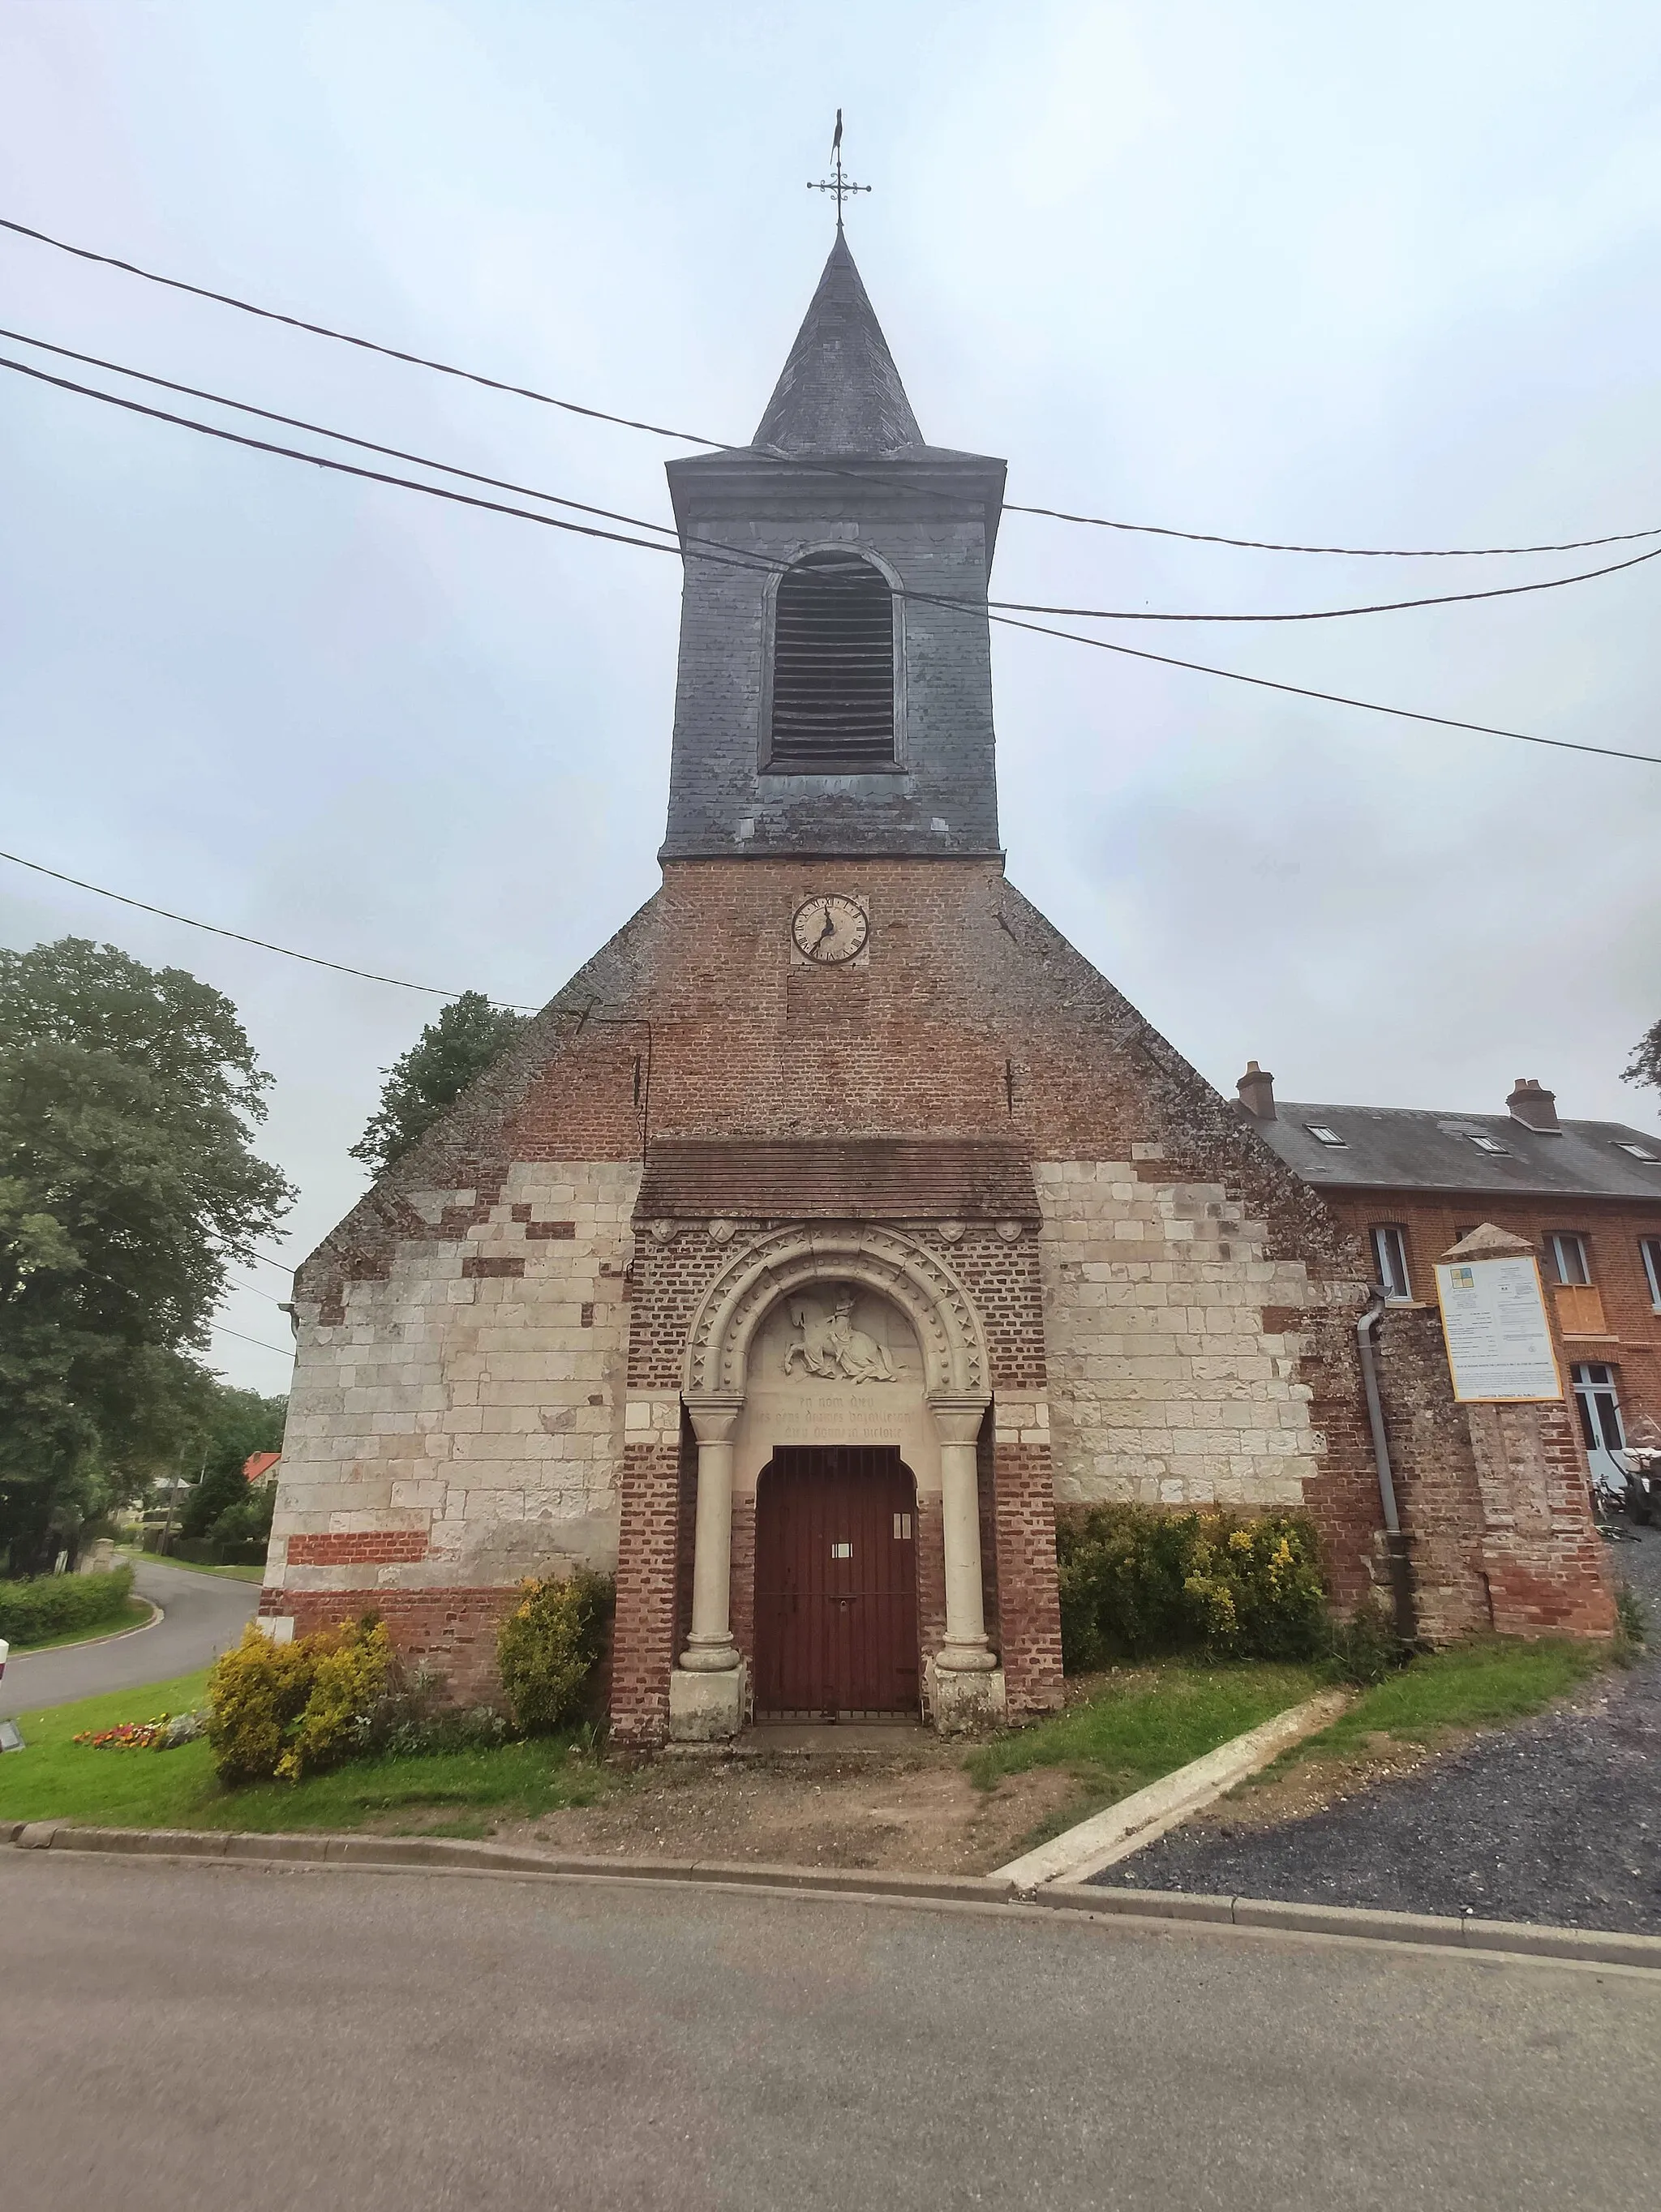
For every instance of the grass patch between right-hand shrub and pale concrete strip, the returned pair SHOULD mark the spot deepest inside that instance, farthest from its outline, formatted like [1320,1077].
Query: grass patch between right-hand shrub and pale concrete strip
[1142,1724]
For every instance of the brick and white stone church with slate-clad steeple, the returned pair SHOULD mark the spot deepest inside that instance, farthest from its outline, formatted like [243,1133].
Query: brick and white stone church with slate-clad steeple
[839,1229]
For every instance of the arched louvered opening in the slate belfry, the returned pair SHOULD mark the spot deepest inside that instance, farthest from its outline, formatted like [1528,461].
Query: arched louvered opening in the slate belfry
[833,667]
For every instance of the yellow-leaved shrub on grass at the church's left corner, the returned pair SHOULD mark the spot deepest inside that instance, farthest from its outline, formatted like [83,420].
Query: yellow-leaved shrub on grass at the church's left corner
[293,1709]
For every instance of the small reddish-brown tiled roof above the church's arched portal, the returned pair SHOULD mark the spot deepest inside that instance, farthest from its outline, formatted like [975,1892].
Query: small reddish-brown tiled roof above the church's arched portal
[837,1178]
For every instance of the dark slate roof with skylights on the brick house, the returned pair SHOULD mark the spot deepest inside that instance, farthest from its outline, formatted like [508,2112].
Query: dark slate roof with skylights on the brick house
[1419,1149]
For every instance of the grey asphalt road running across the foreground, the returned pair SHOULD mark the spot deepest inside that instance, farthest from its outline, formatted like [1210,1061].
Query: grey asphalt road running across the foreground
[198,2036]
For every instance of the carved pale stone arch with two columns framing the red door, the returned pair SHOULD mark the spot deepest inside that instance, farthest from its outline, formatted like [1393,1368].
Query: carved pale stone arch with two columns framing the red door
[965,1678]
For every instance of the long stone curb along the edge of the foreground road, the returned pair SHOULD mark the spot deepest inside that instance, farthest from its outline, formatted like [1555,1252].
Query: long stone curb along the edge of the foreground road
[408,1855]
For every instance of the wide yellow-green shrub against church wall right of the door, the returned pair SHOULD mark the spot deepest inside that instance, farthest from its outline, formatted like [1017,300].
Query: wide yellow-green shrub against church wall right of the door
[1138,1583]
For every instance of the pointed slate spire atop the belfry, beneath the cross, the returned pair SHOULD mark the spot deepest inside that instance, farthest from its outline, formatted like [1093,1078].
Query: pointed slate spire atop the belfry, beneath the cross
[839,390]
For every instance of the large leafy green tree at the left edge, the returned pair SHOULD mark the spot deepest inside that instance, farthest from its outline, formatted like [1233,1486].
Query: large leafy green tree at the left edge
[127,1180]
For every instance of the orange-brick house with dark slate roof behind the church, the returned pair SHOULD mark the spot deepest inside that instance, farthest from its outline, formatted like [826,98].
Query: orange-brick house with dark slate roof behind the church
[1587,1196]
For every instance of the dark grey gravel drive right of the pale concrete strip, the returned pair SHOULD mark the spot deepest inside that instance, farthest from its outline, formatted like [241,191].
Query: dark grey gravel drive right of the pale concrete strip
[1558,1819]
